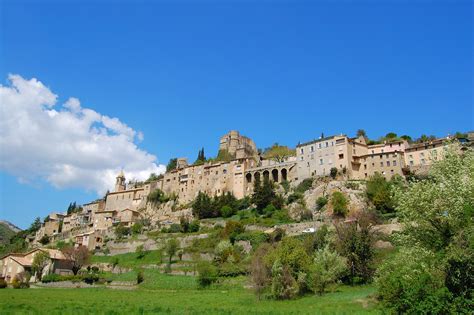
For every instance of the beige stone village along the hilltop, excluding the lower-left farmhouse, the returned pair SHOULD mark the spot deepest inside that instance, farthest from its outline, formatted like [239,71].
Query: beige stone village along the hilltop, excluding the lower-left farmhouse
[234,171]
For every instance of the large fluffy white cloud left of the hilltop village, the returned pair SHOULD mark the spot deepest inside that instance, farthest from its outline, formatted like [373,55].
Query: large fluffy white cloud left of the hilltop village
[68,145]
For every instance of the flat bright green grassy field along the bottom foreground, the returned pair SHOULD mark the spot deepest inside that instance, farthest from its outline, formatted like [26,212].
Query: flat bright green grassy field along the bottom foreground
[179,295]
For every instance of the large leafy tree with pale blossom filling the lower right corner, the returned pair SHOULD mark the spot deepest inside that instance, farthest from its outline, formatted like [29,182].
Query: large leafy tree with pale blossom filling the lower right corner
[436,242]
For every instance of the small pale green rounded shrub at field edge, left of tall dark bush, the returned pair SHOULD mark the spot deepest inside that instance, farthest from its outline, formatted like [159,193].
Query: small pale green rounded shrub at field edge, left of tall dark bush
[327,267]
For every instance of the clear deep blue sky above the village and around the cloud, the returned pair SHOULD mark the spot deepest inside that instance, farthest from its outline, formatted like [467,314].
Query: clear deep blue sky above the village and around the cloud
[186,72]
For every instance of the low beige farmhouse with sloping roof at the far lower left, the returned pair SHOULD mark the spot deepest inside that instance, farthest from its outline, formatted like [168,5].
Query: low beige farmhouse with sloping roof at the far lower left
[14,264]
